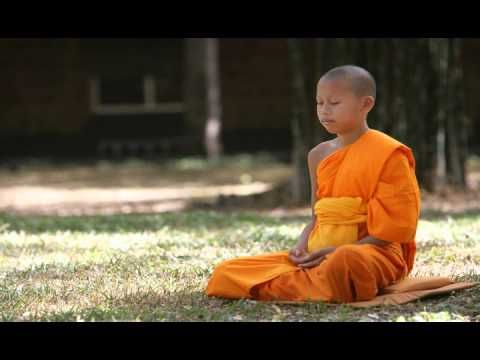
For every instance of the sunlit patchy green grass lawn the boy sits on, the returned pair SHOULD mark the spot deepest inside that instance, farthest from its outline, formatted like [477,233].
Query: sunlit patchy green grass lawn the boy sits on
[154,267]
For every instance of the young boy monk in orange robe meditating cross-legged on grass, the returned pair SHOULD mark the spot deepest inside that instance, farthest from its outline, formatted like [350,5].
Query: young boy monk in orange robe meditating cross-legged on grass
[365,209]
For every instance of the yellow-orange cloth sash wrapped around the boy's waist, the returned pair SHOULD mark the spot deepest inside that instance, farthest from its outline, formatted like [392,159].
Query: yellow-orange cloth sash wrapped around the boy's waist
[336,223]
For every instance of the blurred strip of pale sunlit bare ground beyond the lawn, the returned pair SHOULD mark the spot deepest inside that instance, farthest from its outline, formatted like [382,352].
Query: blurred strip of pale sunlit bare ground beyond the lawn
[134,186]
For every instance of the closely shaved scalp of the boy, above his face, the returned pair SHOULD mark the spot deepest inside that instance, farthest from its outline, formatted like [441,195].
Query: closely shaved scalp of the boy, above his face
[360,80]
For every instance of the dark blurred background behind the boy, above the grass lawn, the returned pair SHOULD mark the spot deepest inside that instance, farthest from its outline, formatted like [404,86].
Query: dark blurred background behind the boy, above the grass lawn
[100,126]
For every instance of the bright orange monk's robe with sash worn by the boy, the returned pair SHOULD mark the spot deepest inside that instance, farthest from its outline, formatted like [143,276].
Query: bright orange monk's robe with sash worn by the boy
[372,182]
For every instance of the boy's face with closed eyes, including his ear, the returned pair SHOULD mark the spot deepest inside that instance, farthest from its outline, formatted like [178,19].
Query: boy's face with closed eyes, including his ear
[339,109]
